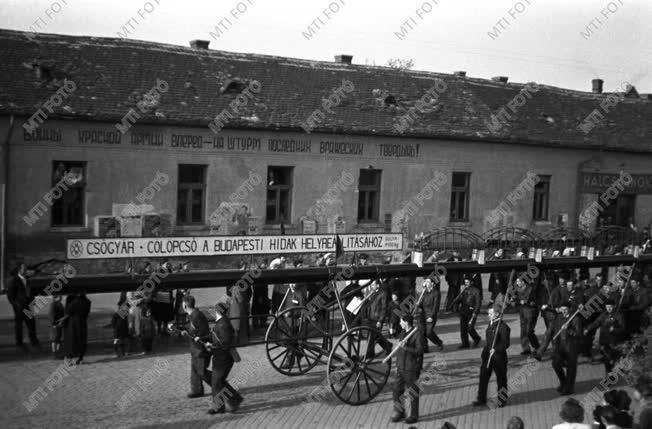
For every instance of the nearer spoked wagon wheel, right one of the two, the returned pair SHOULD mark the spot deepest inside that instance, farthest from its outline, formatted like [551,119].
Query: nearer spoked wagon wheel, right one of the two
[356,372]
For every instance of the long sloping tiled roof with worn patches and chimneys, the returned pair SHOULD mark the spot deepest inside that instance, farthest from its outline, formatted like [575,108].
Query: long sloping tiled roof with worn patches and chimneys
[112,74]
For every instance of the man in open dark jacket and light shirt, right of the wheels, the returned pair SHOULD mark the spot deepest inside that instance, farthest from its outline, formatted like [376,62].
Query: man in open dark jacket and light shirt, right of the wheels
[497,352]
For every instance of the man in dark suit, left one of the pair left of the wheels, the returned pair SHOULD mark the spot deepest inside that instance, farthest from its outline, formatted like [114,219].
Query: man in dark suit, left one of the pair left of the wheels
[200,358]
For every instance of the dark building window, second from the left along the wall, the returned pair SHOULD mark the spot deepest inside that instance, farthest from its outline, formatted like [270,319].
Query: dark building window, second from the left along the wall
[190,194]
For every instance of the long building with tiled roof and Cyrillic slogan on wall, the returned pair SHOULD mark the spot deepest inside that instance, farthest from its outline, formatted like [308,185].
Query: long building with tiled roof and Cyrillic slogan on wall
[181,133]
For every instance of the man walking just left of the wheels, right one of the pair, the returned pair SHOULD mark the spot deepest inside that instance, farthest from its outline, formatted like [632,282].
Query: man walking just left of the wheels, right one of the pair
[221,344]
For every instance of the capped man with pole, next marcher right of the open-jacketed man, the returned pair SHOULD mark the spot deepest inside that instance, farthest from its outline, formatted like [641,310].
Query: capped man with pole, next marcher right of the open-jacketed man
[565,347]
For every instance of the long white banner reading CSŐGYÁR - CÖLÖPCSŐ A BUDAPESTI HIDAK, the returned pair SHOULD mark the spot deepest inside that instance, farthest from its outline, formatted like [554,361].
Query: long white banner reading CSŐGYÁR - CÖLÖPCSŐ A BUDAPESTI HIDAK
[95,248]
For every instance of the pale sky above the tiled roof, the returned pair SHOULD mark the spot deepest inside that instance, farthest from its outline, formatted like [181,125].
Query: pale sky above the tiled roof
[564,43]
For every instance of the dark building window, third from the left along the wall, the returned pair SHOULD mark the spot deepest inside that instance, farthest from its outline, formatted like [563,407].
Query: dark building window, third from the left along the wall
[279,194]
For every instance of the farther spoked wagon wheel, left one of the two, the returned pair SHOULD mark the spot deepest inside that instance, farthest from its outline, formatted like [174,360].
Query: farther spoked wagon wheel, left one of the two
[295,343]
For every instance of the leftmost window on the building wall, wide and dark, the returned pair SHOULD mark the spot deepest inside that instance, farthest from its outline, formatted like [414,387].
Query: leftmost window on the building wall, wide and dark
[70,178]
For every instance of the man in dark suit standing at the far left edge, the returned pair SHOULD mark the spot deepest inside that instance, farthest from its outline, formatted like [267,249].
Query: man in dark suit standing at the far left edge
[20,298]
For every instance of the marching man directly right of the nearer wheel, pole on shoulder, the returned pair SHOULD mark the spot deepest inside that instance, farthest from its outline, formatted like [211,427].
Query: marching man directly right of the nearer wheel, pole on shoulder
[409,362]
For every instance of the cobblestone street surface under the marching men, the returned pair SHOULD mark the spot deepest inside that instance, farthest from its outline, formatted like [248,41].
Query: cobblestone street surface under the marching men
[88,396]
